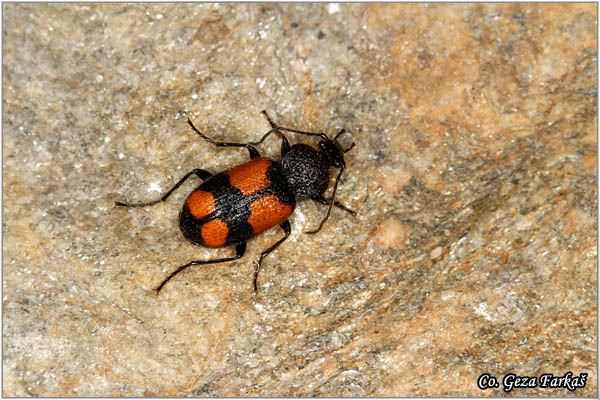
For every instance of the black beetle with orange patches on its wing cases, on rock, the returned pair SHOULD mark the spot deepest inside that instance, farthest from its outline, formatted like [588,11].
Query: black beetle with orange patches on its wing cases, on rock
[233,206]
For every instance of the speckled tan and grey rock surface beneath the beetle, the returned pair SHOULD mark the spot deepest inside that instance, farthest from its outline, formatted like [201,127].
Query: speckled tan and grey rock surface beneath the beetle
[474,250]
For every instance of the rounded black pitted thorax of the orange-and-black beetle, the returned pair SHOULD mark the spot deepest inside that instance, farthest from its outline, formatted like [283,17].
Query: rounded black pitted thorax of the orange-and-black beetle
[306,170]
